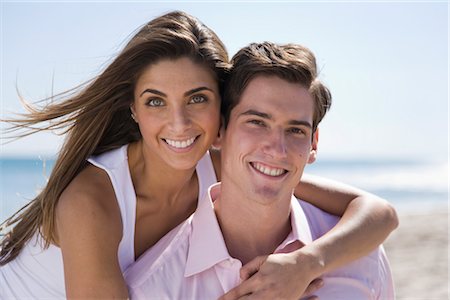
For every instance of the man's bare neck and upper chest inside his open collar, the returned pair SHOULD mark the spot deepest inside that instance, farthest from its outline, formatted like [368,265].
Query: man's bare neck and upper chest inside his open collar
[250,228]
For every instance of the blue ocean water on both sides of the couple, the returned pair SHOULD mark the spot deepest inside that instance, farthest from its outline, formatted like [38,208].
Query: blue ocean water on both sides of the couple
[411,186]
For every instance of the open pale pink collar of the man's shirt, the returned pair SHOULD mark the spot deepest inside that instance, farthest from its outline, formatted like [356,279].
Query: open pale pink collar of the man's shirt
[207,246]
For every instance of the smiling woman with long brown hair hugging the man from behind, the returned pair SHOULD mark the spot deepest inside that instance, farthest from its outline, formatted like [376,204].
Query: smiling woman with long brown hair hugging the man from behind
[133,165]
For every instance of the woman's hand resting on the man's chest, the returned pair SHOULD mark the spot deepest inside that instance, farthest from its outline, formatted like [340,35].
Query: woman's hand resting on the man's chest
[277,276]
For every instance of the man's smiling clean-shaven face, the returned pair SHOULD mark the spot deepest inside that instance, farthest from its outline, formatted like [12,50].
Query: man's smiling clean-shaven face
[268,140]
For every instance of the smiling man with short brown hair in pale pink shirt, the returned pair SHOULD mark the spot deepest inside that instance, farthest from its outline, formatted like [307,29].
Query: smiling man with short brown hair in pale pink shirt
[272,107]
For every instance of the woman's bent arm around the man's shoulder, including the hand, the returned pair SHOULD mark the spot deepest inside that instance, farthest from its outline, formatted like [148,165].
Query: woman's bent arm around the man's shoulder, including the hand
[366,222]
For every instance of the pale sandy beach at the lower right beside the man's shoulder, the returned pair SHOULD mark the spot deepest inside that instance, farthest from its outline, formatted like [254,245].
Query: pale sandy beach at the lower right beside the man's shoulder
[418,254]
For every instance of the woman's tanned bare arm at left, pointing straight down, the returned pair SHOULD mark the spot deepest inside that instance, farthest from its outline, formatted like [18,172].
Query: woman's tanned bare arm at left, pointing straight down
[89,230]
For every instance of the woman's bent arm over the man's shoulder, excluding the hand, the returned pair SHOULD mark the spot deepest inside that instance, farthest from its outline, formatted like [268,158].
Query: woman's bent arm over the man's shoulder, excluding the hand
[366,220]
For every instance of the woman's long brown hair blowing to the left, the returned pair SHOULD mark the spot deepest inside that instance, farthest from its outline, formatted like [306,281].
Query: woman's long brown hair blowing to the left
[98,118]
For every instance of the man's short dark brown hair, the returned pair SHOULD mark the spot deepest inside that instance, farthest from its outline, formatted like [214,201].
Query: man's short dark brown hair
[290,62]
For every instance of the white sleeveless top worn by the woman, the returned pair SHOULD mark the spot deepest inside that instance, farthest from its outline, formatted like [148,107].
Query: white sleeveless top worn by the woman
[38,273]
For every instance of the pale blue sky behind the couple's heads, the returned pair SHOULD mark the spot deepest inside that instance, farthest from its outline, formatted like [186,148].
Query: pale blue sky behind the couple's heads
[386,63]
